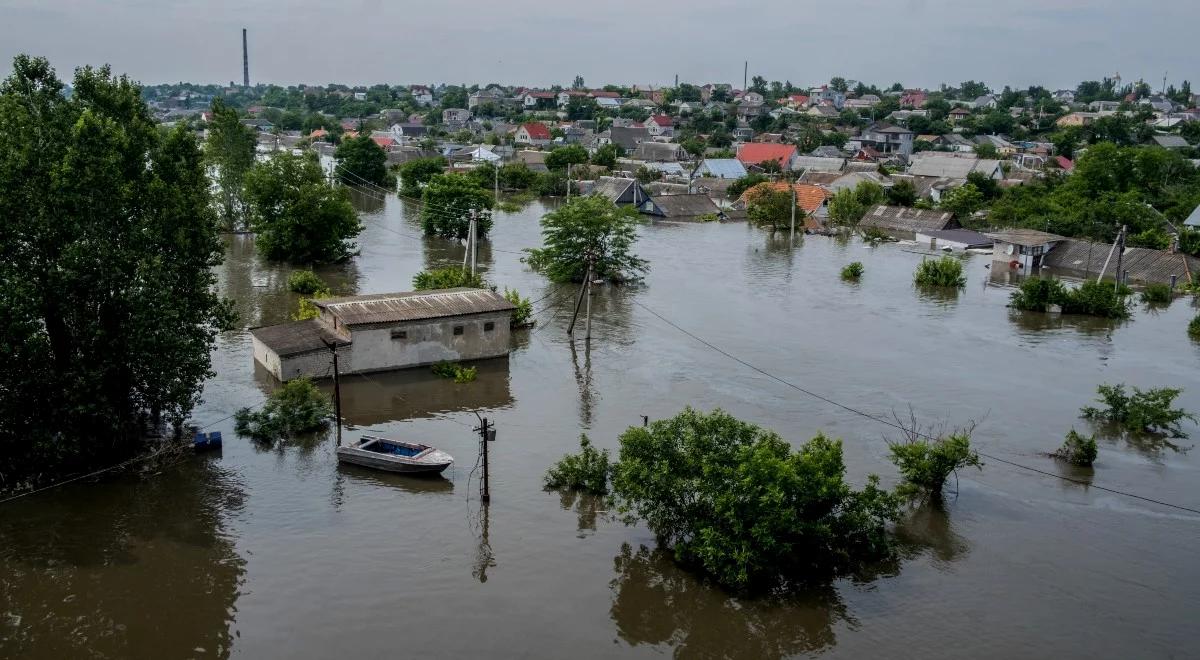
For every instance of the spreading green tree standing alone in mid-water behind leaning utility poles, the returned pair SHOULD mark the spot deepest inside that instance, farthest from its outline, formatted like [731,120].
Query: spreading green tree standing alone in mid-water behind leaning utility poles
[589,229]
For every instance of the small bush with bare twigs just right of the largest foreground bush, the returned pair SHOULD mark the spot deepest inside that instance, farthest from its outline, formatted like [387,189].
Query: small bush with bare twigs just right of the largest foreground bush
[926,465]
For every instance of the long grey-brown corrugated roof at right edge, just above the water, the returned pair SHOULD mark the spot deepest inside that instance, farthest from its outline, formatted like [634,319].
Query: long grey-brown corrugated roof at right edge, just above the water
[1144,265]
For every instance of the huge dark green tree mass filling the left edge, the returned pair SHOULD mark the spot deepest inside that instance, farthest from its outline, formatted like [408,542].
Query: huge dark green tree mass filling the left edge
[106,281]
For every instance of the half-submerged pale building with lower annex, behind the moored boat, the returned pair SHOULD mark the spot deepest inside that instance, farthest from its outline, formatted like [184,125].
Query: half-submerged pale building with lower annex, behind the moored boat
[388,332]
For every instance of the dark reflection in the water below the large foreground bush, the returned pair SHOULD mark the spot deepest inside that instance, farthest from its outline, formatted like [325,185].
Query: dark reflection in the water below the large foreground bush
[657,603]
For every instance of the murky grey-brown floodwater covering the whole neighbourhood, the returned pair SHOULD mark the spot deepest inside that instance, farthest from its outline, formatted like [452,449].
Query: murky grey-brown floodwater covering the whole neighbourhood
[280,553]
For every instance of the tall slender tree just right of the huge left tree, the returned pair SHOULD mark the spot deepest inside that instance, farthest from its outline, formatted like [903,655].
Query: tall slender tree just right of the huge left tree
[230,149]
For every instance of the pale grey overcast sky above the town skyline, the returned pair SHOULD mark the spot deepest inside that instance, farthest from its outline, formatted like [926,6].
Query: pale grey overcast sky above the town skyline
[542,43]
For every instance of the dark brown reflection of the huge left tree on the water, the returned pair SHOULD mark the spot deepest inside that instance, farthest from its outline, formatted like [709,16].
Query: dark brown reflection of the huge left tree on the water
[143,571]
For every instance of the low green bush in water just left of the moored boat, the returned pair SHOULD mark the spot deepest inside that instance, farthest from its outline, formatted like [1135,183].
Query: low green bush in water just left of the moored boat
[296,409]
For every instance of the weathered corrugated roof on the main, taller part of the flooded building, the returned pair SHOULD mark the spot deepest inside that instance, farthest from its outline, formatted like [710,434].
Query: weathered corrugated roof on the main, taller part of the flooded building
[392,308]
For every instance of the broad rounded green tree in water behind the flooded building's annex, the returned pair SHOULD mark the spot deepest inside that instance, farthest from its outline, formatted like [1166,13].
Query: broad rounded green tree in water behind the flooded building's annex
[298,215]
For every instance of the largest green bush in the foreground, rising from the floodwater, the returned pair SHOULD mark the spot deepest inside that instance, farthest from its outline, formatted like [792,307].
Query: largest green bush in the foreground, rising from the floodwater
[736,502]
